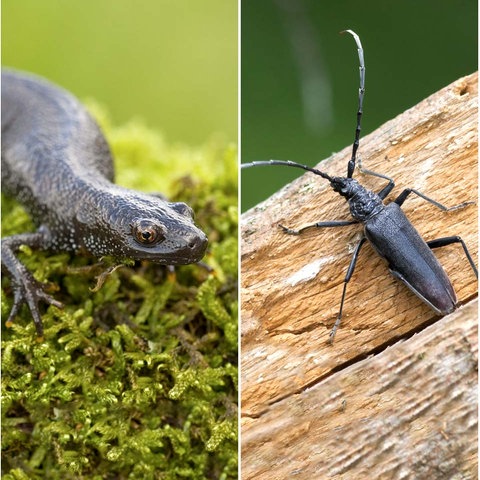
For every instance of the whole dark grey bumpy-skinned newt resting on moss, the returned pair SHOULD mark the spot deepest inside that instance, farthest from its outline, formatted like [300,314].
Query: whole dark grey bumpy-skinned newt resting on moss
[57,164]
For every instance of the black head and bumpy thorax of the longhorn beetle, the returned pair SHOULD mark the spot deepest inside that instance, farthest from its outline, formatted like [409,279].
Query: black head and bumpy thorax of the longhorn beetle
[364,204]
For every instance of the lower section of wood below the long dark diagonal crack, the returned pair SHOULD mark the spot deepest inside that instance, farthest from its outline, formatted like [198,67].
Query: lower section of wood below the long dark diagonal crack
[408,412]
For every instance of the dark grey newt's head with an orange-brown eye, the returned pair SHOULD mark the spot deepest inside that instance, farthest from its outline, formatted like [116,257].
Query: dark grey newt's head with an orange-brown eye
[134,225]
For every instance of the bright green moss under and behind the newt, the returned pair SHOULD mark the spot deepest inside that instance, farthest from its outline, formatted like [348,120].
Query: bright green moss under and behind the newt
[137,379]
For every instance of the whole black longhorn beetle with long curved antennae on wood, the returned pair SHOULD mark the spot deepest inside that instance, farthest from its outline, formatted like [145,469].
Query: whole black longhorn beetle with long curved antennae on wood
[393,237]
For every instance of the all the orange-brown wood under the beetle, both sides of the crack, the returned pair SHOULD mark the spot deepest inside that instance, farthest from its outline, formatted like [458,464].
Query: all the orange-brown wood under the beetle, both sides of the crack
[291,290]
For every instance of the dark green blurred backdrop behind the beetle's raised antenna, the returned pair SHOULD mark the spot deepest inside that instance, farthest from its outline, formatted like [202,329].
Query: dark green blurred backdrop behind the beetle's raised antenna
[299,79]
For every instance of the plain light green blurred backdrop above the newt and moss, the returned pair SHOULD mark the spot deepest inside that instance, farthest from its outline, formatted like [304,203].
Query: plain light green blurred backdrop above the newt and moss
[172,63]
